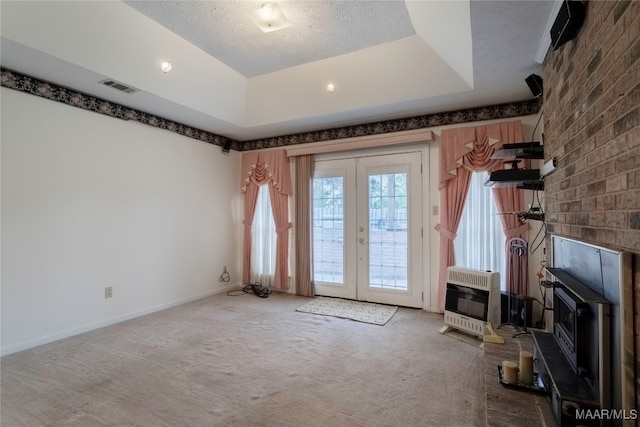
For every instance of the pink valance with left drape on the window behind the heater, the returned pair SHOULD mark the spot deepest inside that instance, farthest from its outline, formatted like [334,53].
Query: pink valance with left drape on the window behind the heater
[463,150]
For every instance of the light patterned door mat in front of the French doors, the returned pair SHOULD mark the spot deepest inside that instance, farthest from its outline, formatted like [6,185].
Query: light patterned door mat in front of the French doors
[377,314]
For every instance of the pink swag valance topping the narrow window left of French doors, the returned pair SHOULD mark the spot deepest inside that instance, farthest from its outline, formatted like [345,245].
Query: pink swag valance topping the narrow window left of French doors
[264,166]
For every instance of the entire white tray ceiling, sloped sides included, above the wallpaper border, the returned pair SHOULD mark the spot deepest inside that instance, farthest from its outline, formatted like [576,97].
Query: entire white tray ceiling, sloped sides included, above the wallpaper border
[387,59]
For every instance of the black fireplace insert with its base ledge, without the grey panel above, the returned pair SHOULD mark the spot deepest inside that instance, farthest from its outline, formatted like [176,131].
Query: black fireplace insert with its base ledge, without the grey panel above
[573,359]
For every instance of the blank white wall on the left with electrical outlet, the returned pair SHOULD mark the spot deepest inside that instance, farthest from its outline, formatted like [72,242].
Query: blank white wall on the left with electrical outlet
[89,201]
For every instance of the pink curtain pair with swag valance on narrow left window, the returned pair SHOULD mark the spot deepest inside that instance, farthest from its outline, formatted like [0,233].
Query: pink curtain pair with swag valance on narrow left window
[267,168]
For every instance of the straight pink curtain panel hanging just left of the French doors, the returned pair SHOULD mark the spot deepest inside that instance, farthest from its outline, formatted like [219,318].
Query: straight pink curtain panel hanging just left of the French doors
[304,249]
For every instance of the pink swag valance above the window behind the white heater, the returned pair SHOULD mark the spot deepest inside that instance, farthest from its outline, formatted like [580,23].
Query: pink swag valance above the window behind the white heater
[472,147]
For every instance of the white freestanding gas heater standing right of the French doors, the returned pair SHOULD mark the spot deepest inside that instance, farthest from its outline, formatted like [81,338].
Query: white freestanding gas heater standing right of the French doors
[472,299]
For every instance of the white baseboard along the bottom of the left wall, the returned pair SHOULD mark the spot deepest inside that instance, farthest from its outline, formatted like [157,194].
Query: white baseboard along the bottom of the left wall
[25,345]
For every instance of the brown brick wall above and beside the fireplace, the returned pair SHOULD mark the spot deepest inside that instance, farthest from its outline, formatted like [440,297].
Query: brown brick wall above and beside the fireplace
[592,125]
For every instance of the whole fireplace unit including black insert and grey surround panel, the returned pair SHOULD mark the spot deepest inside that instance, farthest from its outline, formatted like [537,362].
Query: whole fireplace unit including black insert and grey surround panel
[583,361]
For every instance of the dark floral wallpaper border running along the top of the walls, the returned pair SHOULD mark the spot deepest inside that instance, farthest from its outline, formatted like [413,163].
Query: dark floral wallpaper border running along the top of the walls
[34,86]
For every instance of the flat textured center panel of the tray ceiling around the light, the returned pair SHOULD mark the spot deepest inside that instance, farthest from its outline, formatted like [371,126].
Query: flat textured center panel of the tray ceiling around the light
[323,29]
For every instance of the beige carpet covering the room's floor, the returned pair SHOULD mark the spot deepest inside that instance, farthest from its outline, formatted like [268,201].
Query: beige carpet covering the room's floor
[248,361]
